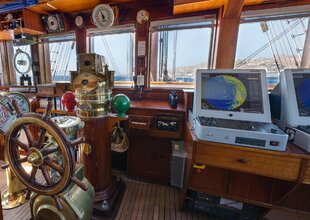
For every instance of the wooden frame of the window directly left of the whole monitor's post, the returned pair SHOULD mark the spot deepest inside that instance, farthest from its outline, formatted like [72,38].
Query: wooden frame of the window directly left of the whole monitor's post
[154,27]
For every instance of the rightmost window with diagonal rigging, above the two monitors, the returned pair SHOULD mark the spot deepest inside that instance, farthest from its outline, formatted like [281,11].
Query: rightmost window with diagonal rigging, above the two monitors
[273,43]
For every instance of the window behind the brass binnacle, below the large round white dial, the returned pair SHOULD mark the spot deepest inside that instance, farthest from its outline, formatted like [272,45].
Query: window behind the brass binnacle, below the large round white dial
[117,46]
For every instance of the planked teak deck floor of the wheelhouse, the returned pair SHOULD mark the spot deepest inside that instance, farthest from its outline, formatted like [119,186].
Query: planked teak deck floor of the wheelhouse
[141,201]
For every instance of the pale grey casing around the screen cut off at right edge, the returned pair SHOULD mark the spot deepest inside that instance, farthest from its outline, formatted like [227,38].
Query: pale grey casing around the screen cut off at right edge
[290,99]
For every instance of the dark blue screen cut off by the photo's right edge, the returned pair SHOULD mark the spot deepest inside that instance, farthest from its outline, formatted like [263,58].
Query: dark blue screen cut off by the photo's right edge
[302,90]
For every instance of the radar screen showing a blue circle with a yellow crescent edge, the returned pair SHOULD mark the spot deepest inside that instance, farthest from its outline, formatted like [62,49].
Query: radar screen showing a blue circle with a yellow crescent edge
[240,92]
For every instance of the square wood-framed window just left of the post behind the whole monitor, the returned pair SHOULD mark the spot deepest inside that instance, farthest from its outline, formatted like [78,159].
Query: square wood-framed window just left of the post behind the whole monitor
[177,48]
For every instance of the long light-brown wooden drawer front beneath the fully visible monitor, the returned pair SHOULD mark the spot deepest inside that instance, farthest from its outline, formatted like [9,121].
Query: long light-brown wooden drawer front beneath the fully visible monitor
[242,160]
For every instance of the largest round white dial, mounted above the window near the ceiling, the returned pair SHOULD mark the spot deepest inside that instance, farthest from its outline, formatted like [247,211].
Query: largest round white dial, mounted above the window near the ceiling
[103,16]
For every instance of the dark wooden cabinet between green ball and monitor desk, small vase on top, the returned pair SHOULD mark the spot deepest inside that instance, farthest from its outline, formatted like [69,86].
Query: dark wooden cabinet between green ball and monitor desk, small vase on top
[152,125]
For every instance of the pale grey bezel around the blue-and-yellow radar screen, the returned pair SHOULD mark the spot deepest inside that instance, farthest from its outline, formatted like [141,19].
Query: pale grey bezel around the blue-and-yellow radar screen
[233,115]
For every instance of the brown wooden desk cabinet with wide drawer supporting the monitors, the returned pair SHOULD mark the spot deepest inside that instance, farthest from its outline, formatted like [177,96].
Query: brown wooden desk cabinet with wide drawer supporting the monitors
[262,177]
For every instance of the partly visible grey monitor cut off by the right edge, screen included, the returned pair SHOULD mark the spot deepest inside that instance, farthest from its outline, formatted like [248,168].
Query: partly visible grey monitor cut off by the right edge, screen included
[295,96]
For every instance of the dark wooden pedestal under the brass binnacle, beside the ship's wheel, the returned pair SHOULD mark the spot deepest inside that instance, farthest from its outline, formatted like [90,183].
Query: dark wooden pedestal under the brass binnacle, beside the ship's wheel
[97,164]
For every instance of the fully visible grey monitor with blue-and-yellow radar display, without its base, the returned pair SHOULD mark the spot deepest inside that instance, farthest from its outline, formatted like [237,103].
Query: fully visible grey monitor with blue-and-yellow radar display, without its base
[232,94]
